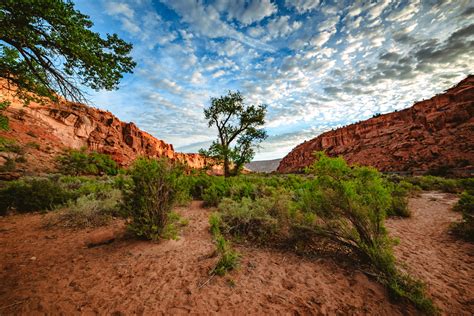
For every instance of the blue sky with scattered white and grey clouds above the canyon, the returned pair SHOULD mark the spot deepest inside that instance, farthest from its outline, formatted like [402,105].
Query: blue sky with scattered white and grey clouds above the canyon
[317,64]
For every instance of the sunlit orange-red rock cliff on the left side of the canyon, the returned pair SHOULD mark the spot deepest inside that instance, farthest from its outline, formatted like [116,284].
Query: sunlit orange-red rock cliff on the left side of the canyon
[55,127]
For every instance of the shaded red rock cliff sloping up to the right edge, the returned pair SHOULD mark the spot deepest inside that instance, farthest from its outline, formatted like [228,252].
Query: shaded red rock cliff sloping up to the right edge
[435,135]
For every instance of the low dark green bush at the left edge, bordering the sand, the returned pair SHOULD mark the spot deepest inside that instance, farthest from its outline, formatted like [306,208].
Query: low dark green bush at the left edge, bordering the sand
[32,194]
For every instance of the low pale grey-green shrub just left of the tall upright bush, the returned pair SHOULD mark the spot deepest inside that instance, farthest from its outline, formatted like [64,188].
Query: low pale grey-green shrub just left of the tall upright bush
[87,211]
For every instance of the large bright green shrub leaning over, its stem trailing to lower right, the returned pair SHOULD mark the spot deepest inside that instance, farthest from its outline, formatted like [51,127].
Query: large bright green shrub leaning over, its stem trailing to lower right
[350,204]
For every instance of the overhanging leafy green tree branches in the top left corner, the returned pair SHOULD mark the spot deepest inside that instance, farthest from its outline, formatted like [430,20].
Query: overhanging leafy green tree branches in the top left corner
[47,47]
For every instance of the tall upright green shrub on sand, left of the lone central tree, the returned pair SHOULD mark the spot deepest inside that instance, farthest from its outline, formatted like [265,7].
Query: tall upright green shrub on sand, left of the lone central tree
[149,201]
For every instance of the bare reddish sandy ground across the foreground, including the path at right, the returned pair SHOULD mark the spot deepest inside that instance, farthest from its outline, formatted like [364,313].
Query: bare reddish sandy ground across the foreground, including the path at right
[52,272]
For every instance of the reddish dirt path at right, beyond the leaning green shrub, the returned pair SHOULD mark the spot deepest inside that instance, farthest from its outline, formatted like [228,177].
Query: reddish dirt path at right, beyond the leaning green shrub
[445,263]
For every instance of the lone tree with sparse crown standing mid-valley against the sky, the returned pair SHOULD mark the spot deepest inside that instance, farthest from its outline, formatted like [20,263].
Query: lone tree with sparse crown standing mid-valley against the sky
[235,122]
